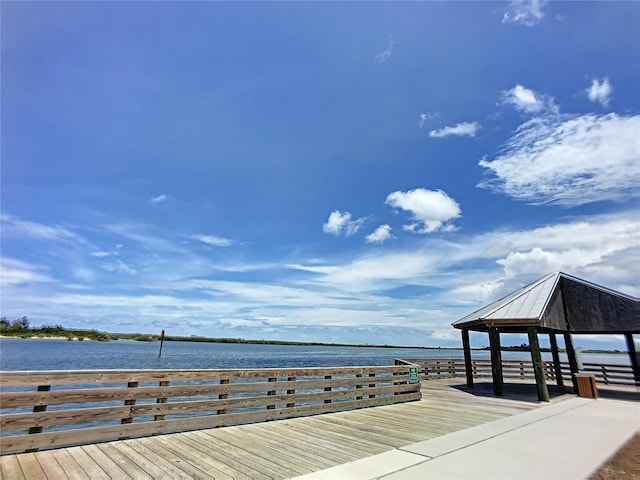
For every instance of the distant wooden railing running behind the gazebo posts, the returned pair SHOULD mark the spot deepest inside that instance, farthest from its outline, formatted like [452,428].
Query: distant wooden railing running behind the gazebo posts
[435,368]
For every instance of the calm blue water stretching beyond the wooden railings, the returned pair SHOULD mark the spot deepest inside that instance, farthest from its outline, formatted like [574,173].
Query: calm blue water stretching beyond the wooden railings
[28,354]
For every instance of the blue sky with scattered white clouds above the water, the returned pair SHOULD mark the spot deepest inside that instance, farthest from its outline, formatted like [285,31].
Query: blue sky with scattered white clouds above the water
[340,172]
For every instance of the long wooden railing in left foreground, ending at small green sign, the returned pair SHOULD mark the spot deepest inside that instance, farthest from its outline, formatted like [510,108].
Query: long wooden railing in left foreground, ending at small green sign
[50,409]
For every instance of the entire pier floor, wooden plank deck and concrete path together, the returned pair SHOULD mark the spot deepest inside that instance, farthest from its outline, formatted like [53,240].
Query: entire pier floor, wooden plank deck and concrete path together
[511,437]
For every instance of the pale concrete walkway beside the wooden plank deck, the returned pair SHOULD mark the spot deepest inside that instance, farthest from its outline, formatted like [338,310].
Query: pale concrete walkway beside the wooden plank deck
[565,440]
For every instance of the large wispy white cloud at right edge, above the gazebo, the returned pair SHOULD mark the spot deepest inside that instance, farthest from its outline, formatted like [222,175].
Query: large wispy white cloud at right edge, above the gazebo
[569,161]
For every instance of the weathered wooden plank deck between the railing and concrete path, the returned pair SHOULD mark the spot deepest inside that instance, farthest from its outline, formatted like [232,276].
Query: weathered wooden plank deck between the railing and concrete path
[280,449]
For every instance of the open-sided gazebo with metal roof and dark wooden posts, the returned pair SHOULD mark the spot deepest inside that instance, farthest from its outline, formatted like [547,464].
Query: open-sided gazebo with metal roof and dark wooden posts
[556,303]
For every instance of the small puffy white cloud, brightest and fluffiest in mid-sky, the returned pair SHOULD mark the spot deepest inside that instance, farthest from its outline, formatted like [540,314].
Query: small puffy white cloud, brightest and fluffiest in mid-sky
[432,210]
